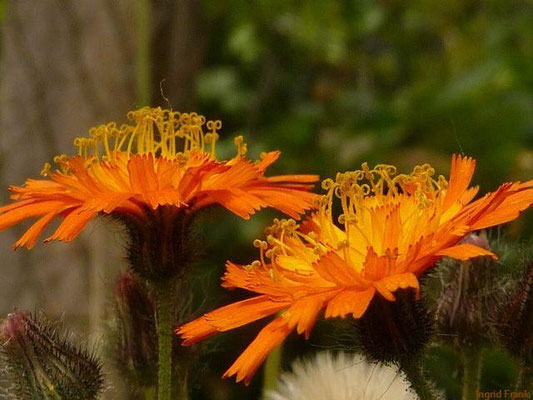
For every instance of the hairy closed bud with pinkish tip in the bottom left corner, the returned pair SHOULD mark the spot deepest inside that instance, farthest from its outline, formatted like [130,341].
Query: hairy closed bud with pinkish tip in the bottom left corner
[43,363]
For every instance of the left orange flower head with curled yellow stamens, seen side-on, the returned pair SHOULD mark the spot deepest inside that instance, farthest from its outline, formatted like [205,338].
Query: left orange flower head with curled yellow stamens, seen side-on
[164,159]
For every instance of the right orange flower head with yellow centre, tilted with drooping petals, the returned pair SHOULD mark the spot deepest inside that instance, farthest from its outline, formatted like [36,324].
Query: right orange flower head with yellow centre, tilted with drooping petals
[392,229]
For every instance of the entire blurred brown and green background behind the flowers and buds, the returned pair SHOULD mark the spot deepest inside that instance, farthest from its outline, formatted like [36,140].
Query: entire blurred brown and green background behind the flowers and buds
[330,83]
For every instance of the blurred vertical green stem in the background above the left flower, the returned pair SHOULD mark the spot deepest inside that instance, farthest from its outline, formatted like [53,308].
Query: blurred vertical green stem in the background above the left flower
[143,65]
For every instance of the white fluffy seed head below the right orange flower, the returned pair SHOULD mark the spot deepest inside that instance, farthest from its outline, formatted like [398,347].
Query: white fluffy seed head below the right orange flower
[341,377]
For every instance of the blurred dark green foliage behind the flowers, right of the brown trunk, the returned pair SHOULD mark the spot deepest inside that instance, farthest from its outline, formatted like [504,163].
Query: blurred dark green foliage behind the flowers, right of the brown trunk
[336,83]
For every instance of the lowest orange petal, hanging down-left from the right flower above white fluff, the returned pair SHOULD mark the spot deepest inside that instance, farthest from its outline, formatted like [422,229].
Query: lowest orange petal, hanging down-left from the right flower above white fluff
[270,337]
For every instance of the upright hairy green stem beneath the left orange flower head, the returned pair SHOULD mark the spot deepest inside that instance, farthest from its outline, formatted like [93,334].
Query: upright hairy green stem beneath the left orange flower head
[164,292]
